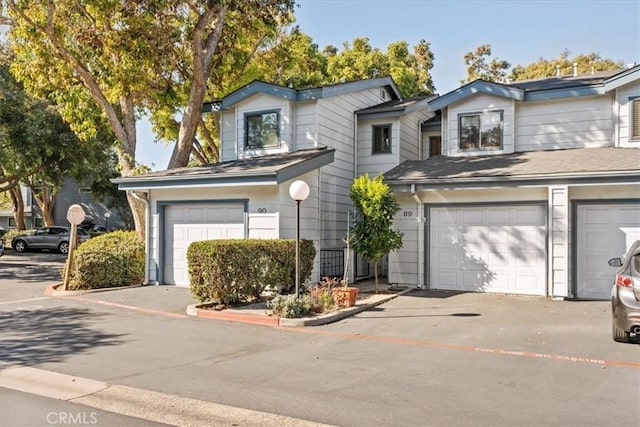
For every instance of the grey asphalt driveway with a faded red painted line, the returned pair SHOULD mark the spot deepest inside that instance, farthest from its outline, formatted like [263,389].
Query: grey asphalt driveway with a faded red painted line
[424,358]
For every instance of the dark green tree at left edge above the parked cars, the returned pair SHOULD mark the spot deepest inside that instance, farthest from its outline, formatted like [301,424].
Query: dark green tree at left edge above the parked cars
[37,147]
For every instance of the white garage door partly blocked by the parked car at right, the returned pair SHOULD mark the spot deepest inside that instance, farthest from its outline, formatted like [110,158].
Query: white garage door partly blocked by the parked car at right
[603,232]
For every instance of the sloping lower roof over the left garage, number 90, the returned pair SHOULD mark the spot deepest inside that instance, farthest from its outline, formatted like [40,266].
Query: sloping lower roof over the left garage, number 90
[271,169]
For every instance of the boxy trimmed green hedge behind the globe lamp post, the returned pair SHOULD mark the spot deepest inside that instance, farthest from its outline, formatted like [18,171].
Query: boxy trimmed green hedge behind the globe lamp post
[235,271]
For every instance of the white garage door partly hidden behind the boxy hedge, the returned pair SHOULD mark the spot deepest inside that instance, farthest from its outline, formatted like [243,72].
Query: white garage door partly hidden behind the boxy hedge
[185,224]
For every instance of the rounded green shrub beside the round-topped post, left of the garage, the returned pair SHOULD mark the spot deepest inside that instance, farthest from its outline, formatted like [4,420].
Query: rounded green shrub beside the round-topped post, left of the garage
[108,261]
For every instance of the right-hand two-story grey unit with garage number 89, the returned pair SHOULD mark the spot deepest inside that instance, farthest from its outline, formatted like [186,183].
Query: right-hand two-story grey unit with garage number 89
[528,188]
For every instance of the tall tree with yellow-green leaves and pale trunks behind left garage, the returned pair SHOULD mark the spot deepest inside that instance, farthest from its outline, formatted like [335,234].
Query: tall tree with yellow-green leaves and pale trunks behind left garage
[124,58]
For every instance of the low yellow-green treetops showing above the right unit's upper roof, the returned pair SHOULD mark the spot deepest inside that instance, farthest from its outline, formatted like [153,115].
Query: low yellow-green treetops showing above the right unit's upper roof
[542,68]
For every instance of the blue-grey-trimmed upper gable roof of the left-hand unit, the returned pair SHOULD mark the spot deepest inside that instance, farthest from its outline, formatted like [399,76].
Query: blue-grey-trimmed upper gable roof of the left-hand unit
[304,94]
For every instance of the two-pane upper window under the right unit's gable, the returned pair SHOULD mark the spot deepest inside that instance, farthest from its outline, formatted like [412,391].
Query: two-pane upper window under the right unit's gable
[480,131]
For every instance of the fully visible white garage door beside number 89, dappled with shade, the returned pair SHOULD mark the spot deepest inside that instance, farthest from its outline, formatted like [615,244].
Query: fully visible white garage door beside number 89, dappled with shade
[488,249]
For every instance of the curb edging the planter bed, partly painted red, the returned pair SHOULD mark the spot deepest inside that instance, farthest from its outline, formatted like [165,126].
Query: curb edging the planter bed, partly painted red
[270,320]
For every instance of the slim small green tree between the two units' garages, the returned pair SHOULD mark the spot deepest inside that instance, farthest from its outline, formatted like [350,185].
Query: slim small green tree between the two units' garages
[371,233]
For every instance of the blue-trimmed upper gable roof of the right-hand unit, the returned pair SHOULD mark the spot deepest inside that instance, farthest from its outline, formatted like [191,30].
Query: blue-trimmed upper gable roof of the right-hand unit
[543,89]
